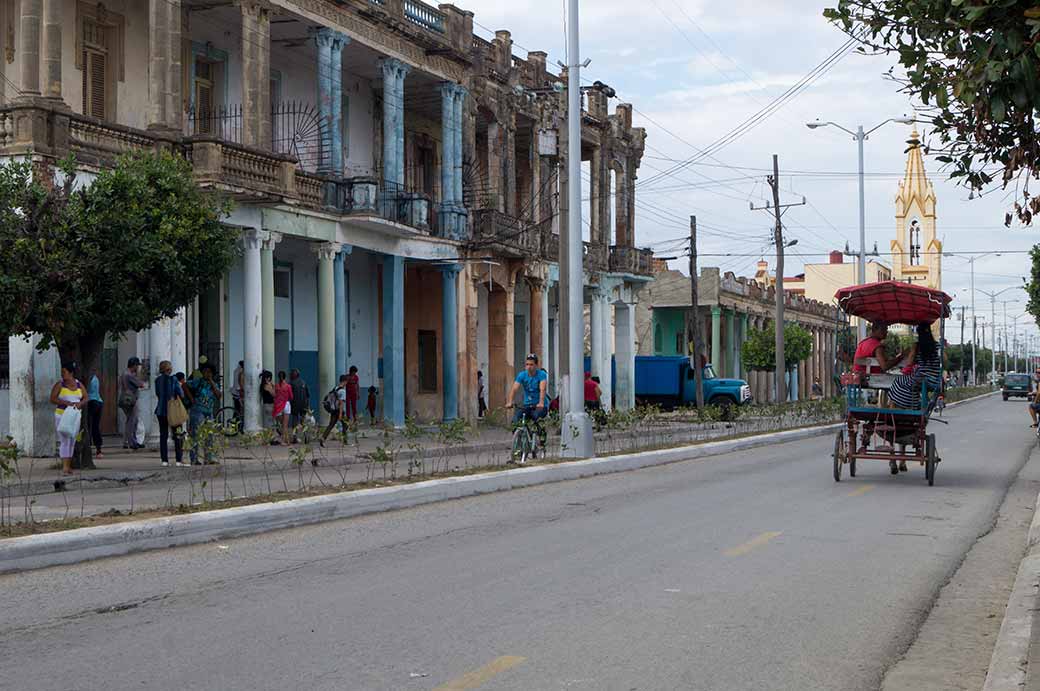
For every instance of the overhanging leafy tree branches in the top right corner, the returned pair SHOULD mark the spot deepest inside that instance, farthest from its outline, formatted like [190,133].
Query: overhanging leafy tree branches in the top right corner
[974,66]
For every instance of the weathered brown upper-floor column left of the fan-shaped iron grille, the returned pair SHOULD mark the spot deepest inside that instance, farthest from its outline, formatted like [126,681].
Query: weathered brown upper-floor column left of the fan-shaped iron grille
[256,73]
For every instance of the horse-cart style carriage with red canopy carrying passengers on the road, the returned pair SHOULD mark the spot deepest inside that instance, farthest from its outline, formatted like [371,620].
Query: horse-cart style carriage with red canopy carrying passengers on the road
[875,429]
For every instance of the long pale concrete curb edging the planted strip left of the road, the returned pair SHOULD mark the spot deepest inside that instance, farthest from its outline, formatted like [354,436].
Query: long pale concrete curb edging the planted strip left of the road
[86,544]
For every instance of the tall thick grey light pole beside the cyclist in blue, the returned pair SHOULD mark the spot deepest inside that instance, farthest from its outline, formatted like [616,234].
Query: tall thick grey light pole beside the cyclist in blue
[577,440]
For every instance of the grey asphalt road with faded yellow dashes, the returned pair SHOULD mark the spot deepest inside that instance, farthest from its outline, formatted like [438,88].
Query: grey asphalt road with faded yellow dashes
[751,571]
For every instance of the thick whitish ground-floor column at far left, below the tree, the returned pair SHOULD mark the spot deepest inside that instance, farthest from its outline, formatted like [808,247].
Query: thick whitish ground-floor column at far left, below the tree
[32,416]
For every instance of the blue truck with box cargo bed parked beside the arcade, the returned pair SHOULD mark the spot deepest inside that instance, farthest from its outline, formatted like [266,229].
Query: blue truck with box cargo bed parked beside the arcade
[669,382]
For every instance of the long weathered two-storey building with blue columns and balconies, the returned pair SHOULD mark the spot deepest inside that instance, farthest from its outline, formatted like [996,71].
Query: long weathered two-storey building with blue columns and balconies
[398,186]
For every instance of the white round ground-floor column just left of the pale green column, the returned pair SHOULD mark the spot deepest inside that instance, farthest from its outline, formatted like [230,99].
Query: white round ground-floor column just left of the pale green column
[252,329]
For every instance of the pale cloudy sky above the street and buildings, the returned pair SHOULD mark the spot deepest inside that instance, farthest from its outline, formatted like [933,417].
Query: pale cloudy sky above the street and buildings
[693,69]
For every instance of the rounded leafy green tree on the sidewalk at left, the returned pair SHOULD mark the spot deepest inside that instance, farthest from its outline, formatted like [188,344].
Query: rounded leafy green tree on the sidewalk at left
[114,257]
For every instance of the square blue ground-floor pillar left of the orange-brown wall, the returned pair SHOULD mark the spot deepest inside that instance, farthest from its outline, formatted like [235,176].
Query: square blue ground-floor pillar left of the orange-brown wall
[394,341]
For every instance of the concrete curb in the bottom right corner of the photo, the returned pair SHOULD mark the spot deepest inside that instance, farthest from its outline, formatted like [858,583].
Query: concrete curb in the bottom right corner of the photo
[1010,660]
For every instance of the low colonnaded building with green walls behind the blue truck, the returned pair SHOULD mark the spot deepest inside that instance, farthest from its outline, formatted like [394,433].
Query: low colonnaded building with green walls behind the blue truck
[729,309]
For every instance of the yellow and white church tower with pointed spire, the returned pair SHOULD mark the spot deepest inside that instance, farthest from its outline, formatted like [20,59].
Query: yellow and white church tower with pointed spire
[917,252]
